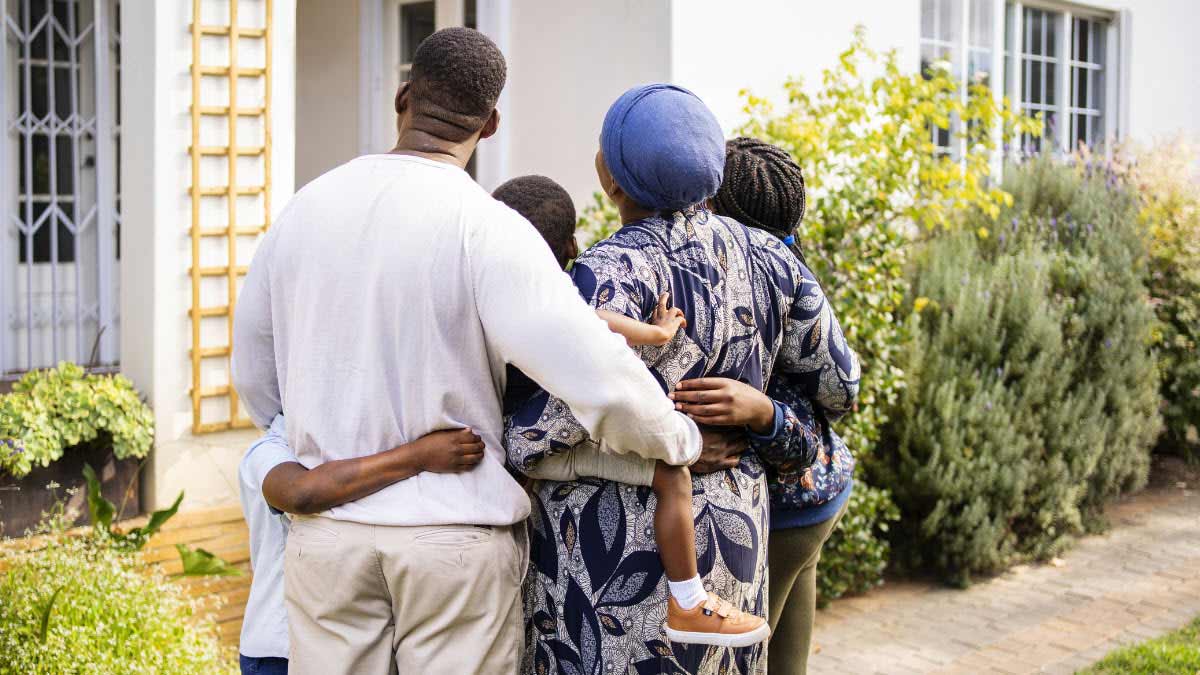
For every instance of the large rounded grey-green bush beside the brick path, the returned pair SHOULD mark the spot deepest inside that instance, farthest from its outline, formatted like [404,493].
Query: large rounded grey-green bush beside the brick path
[1033,393]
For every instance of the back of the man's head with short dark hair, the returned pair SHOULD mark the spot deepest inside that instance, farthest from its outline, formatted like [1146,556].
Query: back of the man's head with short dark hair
[457,79]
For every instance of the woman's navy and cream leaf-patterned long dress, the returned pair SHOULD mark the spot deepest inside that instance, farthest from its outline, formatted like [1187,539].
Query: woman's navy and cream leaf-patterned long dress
[596,596]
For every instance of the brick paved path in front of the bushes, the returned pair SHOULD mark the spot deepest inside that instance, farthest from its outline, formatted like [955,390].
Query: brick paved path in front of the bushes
[1138,582]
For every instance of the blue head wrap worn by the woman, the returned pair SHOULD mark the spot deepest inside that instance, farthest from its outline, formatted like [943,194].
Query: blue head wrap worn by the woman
[664,147]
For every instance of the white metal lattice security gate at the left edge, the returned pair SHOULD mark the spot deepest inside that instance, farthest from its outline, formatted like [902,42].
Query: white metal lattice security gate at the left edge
[59,192]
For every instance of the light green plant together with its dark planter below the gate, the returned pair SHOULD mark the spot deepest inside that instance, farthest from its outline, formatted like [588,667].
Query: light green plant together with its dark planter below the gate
[57,421]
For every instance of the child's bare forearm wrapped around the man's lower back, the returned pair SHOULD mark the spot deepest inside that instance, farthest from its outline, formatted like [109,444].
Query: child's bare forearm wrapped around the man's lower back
[292,488]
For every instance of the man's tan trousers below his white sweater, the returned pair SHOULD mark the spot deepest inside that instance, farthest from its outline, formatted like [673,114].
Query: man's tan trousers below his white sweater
[369,600]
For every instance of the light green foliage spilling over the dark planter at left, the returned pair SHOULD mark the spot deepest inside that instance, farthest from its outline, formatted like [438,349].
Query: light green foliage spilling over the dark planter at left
[50,411]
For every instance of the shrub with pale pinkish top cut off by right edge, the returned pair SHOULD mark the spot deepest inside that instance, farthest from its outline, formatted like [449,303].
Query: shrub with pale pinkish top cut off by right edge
[1167,181]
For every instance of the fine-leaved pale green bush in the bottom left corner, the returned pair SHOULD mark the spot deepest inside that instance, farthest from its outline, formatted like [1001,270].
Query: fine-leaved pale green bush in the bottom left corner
[80,606]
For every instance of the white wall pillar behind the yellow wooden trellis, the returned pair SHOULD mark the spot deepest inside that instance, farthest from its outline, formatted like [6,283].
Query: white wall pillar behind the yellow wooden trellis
[157,246]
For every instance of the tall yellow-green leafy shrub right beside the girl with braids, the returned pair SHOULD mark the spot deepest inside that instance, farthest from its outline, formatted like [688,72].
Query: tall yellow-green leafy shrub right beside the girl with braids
[875,183]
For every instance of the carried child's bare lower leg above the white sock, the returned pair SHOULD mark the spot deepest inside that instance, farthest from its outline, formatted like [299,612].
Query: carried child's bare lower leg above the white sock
[674,528]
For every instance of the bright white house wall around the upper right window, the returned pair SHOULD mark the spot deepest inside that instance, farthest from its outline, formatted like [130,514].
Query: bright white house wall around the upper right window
[721,47]
